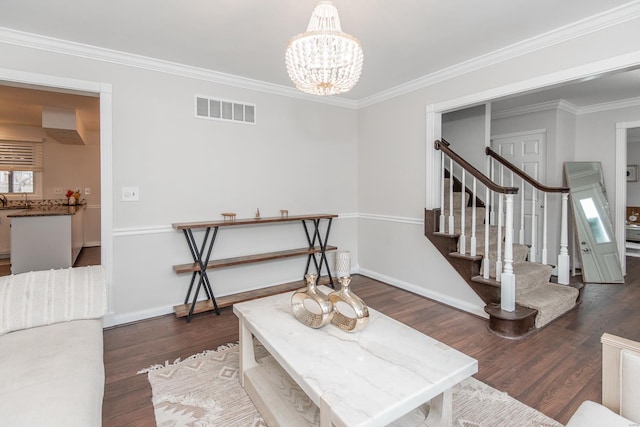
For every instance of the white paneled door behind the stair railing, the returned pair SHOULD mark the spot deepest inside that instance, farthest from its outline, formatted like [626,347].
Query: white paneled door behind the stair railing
[526,150]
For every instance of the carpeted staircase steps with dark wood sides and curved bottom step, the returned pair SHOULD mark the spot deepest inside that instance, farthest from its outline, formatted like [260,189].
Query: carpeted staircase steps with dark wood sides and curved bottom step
[538,300]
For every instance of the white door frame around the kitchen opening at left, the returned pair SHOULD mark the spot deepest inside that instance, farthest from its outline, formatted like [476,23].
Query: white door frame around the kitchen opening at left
[104,91]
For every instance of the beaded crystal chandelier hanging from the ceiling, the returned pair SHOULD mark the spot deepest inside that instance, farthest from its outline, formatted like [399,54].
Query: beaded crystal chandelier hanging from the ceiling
[324,60]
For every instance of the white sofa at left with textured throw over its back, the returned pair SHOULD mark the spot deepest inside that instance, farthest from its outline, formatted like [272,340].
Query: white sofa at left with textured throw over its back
[51,348]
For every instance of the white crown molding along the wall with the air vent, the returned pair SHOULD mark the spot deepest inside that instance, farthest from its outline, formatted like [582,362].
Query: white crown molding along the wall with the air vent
[50,44]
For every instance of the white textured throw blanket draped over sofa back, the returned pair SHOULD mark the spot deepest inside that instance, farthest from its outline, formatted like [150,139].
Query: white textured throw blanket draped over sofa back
[41,298]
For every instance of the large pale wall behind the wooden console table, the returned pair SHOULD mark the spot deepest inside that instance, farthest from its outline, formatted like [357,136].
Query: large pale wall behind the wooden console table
[300,156]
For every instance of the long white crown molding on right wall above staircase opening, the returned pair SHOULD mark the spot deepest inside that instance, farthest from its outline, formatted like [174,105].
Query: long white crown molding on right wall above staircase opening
[610,18]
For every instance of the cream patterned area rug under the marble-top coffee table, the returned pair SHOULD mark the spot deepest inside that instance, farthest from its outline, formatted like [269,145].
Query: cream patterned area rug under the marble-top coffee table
[203,390]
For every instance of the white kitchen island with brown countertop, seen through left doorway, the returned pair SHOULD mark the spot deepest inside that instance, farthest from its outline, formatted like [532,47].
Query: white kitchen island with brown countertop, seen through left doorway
[43,239]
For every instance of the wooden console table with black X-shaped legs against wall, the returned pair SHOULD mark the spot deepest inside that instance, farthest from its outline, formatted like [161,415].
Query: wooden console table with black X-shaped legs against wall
[201,254]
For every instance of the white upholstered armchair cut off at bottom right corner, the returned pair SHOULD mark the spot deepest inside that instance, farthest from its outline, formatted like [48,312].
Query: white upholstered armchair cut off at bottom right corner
[620,387]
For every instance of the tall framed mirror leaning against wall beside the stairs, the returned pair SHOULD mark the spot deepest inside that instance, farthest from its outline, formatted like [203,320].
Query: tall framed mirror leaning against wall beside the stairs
[596,244]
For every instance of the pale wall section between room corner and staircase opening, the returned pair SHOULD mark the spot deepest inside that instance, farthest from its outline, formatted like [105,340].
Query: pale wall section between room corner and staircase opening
[391,198]
